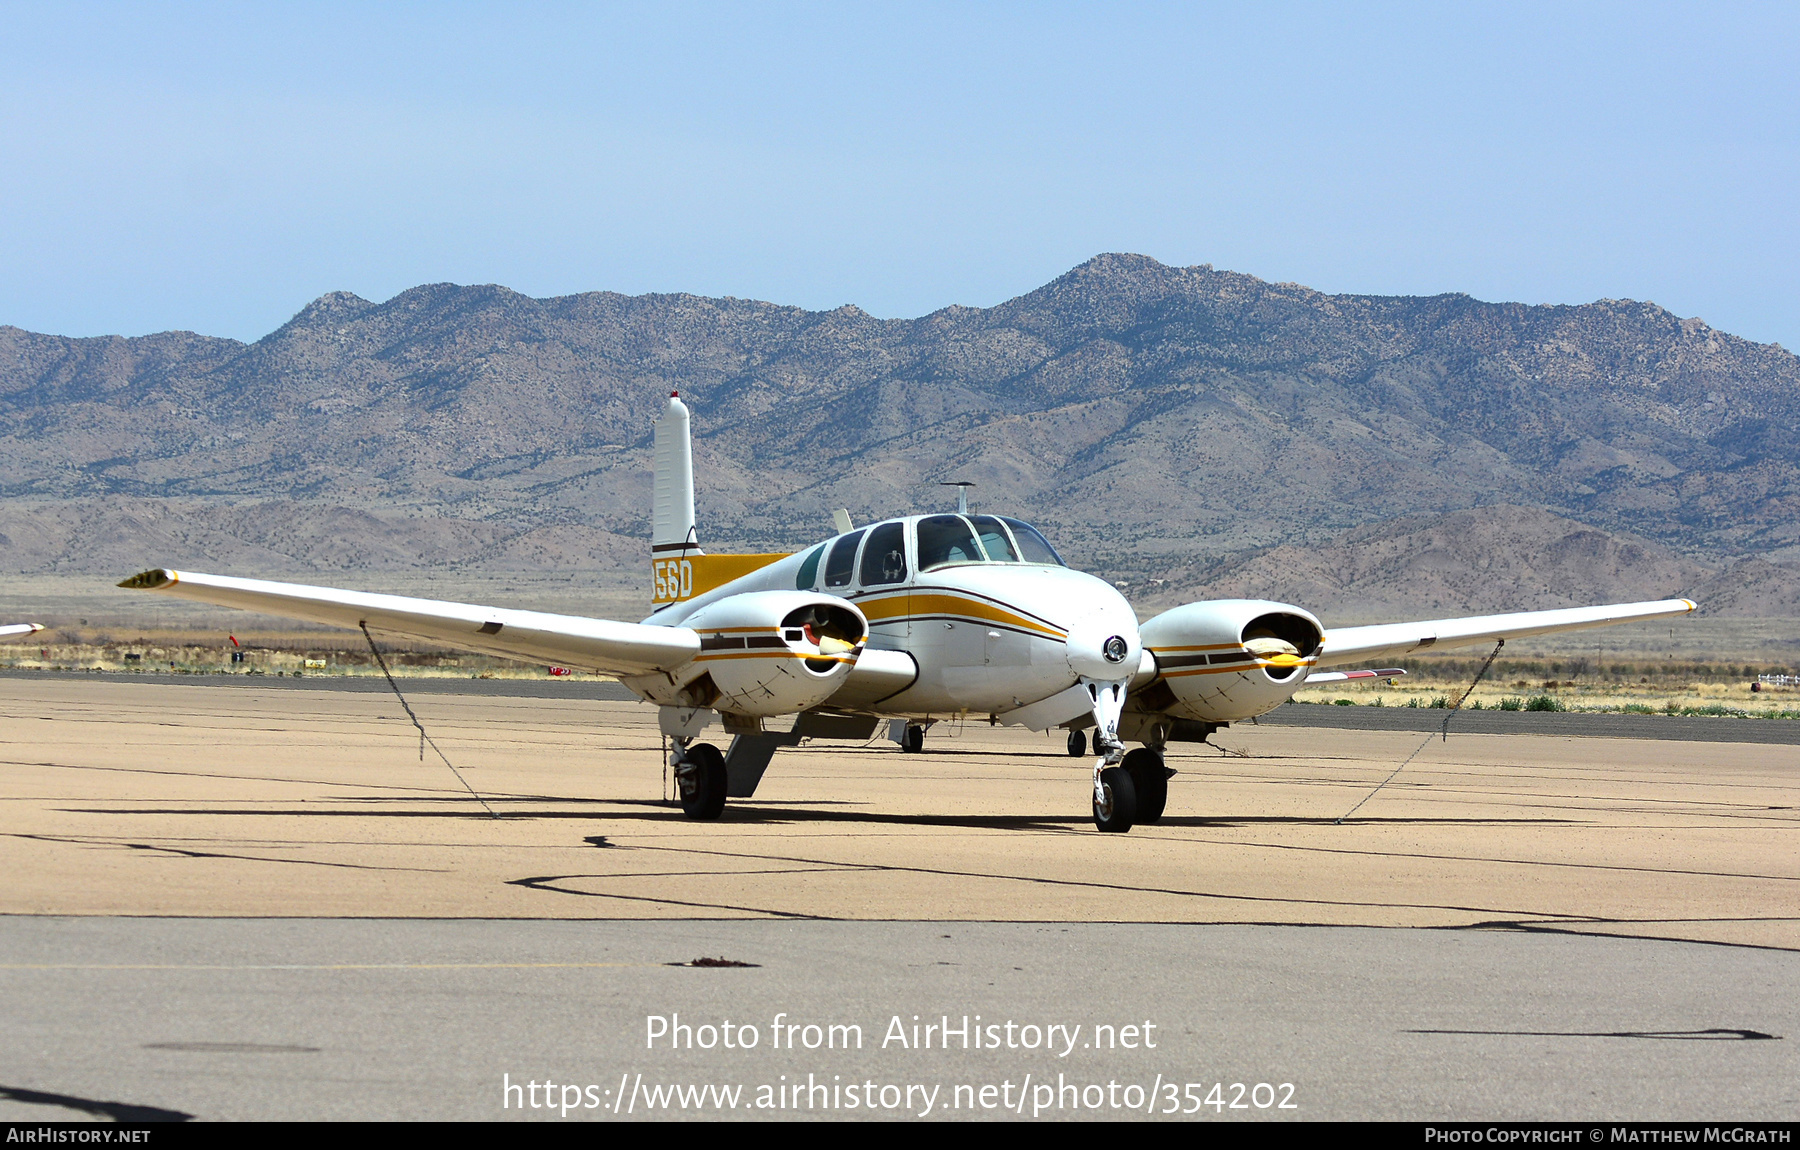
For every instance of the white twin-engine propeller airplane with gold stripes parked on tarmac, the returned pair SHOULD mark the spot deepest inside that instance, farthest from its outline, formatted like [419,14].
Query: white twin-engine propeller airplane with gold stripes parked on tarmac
[915,620]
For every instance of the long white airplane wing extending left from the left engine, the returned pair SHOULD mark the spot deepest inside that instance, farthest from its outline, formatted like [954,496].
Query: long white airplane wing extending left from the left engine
[598,645]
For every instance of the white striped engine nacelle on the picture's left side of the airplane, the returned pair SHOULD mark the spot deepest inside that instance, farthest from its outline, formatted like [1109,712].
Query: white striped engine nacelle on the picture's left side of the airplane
[769,652]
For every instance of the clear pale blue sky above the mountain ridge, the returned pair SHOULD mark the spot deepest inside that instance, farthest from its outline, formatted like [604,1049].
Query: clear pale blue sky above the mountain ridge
[217,168]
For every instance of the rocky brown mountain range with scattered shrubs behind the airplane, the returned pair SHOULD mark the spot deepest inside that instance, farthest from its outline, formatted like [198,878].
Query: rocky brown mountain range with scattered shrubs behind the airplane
[1158,422]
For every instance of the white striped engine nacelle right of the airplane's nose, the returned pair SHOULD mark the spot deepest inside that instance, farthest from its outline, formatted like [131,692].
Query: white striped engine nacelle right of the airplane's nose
[1228,660]
